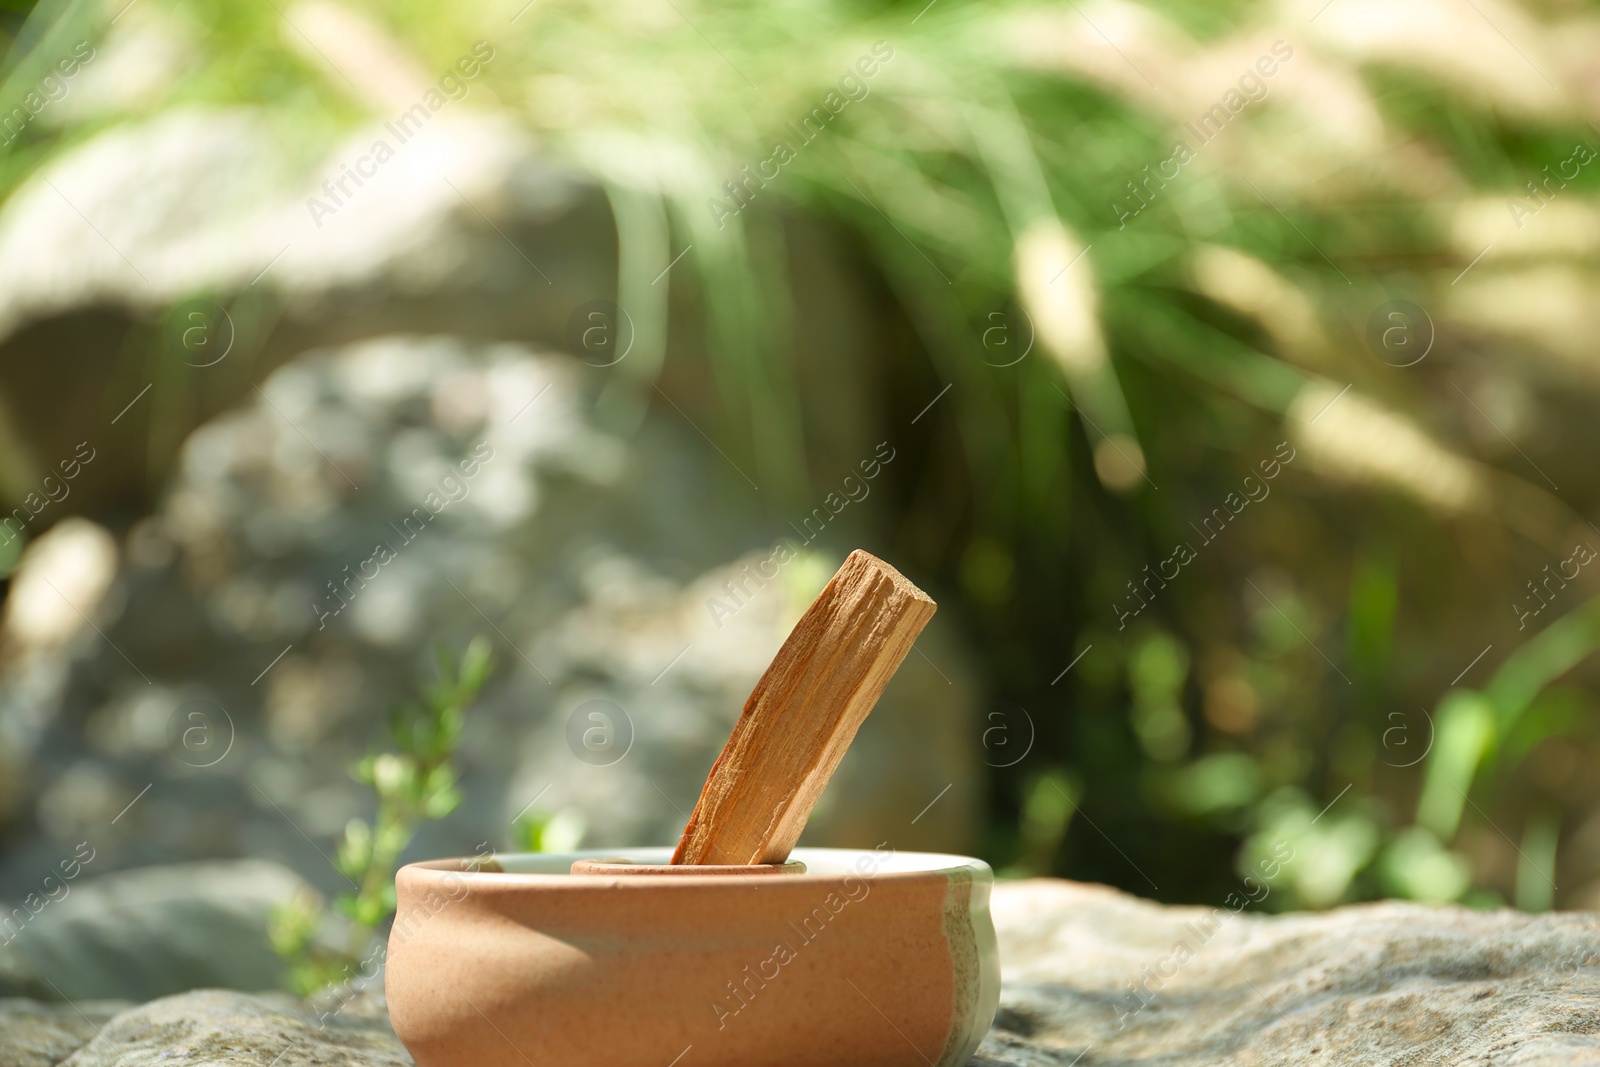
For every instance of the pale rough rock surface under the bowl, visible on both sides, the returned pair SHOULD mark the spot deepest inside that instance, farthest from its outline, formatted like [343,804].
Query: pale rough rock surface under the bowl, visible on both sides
[1356,988]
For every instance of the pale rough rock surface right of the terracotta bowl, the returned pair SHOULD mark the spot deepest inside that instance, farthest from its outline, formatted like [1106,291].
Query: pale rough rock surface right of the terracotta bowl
[1359,986]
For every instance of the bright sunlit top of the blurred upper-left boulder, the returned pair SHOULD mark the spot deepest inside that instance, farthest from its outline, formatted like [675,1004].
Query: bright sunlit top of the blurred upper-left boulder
[167,233]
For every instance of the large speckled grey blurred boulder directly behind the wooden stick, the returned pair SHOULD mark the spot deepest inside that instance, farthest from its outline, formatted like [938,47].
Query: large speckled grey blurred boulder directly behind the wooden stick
[374,500]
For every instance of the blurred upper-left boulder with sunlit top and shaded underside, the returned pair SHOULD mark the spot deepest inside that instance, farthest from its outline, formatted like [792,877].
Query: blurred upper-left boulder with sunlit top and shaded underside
[182,254]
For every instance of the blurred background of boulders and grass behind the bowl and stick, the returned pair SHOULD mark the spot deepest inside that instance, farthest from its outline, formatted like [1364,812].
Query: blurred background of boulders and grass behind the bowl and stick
[1226,372]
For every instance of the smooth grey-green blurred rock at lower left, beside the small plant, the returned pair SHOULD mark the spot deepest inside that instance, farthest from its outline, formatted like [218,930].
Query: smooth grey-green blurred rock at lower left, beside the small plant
[135,935]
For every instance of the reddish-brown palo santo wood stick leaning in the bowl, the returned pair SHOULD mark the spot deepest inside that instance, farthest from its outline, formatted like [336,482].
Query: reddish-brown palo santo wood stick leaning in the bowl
[804,714]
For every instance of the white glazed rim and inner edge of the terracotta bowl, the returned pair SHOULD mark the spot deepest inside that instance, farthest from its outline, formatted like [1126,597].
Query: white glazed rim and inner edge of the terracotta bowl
[823,866]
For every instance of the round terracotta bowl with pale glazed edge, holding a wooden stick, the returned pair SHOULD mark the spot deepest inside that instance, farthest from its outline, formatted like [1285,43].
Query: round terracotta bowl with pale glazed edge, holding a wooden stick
[865,957]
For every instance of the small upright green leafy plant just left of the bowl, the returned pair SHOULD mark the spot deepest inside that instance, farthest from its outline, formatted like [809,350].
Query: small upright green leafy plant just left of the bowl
[414,785]
